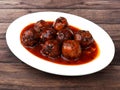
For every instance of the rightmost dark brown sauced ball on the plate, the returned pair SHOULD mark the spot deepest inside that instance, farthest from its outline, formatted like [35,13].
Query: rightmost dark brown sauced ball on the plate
[84,37]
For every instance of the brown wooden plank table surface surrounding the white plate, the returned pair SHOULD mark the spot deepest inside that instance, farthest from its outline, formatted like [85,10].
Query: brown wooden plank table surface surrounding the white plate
[16,75]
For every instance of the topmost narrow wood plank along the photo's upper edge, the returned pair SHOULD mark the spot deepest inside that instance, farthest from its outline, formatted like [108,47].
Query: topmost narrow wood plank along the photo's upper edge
[83,4]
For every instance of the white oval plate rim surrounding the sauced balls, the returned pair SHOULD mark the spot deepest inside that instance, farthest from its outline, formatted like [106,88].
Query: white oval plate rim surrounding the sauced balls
[103,40]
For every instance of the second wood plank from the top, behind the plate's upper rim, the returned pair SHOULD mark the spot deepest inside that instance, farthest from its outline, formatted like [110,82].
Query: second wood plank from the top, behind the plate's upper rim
[97,16]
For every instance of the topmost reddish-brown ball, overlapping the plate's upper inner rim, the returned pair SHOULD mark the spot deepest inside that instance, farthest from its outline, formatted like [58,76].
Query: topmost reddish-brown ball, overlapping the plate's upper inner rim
[60,23]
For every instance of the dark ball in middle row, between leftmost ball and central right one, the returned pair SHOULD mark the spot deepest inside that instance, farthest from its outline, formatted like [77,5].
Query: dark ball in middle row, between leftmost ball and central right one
[47,34]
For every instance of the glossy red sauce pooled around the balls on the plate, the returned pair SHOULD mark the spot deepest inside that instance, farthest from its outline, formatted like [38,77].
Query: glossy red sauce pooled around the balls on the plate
[87,55]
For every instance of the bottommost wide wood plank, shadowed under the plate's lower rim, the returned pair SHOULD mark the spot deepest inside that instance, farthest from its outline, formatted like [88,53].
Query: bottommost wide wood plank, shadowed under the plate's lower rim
[20,76]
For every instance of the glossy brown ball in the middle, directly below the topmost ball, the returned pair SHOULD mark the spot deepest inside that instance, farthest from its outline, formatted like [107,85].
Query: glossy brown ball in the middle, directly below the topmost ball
[64,34]
